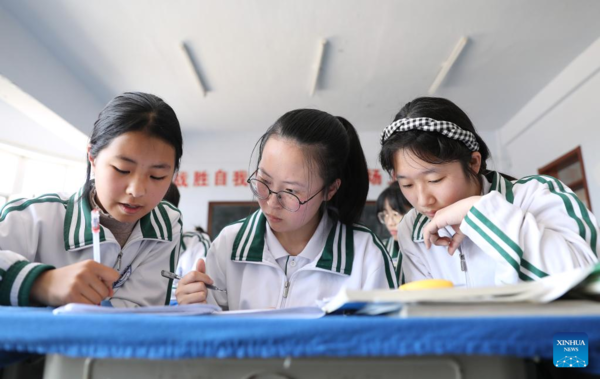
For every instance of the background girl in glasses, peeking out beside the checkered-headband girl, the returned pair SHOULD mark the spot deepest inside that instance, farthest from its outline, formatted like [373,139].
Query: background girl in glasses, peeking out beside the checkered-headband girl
[391,207]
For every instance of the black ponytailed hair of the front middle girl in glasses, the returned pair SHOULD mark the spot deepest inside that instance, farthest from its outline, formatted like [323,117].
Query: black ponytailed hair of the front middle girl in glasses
[332,145]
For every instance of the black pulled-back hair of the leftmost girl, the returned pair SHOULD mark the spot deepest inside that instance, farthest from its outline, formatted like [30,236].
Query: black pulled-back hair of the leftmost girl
[131,112]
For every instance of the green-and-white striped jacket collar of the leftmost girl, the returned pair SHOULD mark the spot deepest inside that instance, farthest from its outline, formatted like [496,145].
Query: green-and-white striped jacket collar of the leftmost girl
[156,225]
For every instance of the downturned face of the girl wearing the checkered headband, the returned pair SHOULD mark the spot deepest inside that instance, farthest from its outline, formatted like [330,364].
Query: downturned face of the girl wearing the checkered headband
[430,187]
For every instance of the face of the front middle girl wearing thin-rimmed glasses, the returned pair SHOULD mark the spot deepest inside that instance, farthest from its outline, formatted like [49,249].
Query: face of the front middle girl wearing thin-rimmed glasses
[283,167]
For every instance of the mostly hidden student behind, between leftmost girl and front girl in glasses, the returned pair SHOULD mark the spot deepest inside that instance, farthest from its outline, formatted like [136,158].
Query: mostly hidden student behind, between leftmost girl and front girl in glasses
[194,244]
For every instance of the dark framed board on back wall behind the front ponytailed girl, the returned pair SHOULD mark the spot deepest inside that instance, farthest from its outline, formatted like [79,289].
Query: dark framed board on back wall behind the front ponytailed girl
[223,213]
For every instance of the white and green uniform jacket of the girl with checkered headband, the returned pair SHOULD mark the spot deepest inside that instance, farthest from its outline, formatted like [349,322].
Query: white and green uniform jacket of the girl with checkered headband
[520,230]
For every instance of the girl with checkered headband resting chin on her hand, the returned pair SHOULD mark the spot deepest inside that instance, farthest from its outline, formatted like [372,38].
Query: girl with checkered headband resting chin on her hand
[504,230]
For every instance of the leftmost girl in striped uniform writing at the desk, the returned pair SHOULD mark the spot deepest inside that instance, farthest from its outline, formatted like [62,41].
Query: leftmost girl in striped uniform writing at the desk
[46,242]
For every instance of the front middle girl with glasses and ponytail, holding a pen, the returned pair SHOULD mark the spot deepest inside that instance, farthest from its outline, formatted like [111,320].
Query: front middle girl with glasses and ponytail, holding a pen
[303,245]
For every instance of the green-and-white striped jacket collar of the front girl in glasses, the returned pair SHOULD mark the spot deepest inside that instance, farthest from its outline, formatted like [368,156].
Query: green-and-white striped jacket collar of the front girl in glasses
[336,256]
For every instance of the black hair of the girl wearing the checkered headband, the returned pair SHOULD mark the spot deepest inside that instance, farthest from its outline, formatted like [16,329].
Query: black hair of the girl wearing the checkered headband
[434,147]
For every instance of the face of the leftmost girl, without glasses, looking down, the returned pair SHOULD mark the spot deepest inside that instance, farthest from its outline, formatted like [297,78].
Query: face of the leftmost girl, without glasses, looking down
[132,175]
